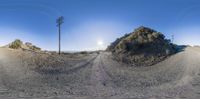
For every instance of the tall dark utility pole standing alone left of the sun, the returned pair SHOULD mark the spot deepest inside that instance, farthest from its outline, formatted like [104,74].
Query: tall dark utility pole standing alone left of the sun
[59,22]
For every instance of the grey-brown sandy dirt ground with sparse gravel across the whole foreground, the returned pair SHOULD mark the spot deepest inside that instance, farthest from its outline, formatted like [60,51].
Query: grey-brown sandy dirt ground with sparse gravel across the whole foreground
[30,75]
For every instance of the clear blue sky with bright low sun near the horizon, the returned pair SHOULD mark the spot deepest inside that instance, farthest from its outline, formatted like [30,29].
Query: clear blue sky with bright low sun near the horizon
[94,24]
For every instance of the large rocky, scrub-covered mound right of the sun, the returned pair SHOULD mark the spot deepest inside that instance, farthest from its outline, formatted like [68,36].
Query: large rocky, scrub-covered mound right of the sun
[142,47]
